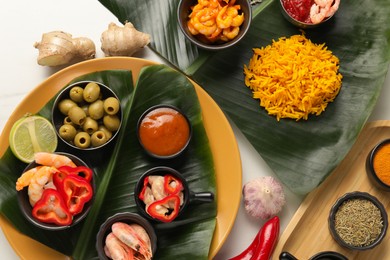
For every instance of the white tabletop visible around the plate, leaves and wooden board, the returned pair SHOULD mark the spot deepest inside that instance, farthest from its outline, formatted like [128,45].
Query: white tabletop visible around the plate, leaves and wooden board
[23,23]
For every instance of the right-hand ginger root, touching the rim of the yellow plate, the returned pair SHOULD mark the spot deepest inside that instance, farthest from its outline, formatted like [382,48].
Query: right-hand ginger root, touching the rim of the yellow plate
[123,41]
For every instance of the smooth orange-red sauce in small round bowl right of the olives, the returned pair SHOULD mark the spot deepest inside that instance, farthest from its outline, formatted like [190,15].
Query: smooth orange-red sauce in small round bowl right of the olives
[164,131]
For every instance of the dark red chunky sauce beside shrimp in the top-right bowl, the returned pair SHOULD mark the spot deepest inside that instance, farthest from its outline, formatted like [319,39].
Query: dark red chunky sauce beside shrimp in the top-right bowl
[299,9]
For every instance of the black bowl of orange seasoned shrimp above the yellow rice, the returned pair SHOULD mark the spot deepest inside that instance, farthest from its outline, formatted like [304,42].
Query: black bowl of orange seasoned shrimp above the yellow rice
[223,29]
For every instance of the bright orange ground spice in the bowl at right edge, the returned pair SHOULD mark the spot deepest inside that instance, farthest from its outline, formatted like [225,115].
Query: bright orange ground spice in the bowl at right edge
[381,163]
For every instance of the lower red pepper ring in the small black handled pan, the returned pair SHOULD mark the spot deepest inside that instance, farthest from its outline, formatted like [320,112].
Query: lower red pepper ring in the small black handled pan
[166,209]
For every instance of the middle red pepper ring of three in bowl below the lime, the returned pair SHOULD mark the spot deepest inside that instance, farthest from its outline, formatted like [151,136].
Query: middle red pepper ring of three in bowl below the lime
[76,191]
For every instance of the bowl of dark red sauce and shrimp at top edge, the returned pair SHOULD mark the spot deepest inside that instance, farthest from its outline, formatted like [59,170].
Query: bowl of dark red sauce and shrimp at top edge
[318,13]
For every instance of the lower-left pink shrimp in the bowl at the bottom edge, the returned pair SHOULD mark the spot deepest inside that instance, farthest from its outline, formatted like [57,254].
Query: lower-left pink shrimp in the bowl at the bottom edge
[116,249]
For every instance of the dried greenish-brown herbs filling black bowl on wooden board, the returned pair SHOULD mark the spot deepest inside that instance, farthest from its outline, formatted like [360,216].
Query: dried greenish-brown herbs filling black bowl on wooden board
[358,222]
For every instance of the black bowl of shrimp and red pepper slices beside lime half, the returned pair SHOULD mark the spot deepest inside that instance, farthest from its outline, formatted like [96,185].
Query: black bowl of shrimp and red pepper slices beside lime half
[41,196]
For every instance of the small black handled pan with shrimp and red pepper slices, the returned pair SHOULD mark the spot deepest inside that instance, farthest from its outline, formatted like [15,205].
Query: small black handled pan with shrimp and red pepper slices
[162,194]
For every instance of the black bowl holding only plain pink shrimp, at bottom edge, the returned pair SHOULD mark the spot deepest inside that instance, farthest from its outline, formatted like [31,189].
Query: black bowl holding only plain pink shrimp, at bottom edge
[139,233]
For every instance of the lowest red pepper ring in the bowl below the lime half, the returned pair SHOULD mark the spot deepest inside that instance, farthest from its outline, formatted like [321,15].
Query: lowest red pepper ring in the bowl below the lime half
[51,208]
